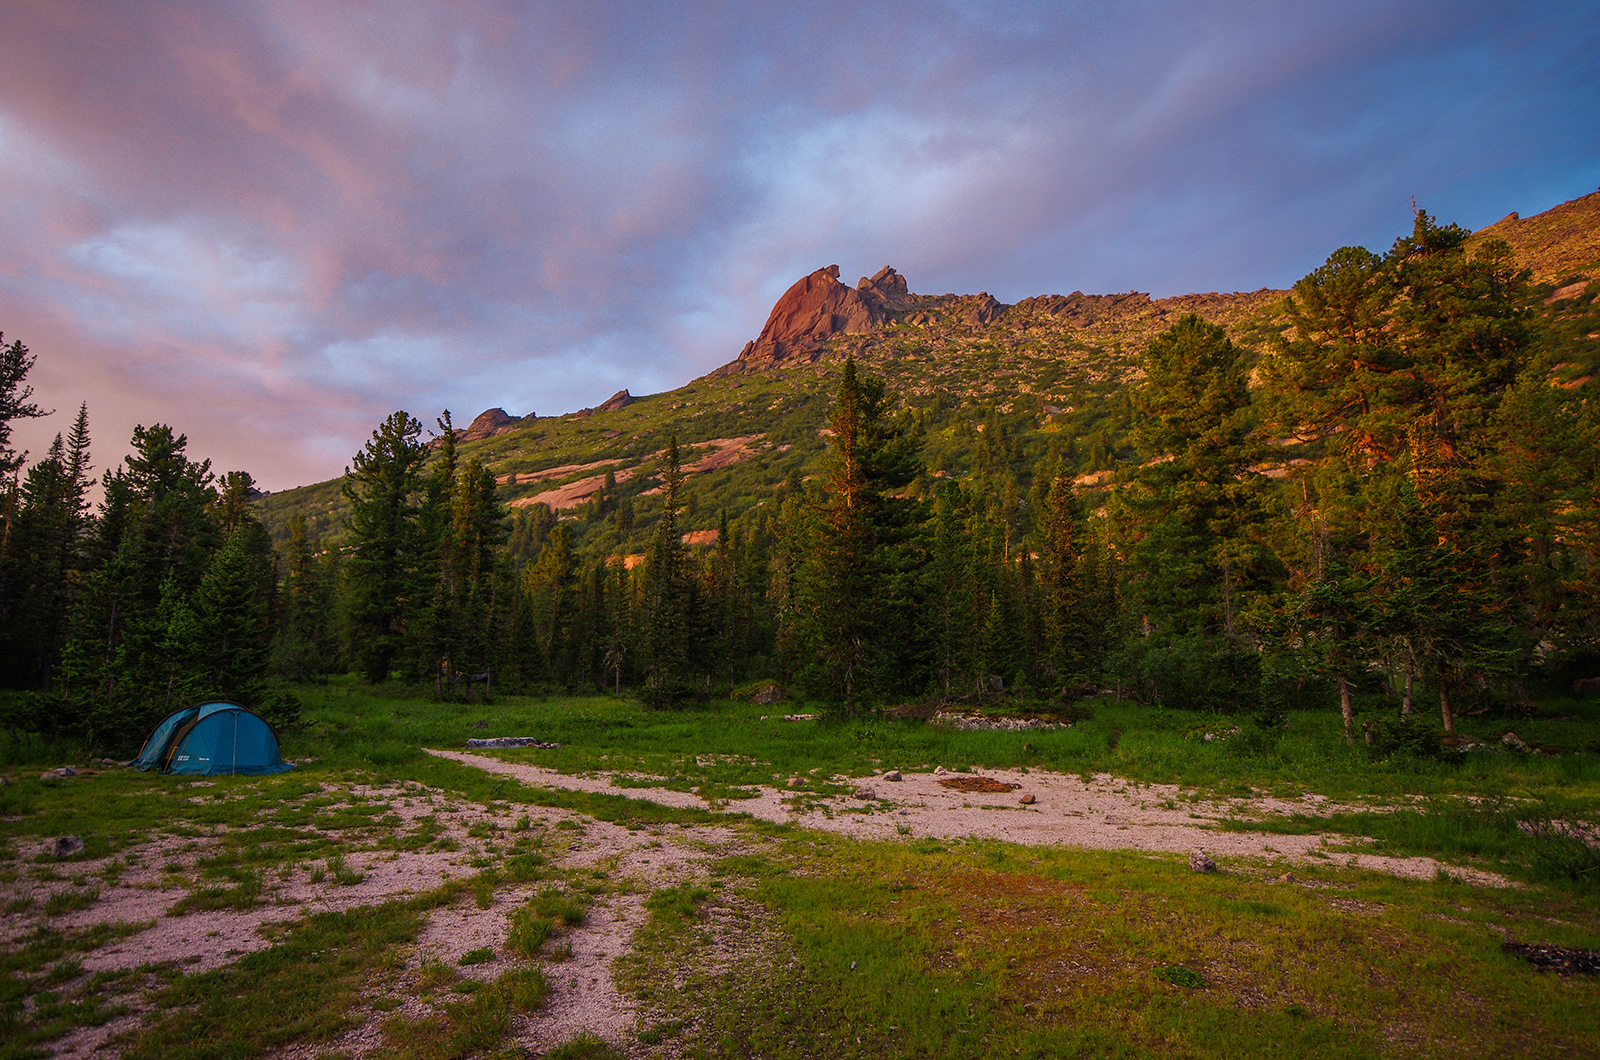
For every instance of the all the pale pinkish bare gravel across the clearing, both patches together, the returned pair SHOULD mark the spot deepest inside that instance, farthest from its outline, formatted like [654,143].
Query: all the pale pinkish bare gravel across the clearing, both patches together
[142,886]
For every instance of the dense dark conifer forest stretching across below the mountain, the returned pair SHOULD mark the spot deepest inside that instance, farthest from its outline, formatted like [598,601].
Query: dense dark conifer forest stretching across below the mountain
[1386,505]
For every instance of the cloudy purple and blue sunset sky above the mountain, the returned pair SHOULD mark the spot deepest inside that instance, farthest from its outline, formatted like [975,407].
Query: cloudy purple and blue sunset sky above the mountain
[273,223]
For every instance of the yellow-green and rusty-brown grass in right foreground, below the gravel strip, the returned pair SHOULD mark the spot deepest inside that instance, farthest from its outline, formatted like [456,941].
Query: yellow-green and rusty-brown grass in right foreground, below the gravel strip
[990,950]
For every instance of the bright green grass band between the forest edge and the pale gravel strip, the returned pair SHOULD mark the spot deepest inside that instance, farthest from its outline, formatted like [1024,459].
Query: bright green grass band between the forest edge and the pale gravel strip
[726,749]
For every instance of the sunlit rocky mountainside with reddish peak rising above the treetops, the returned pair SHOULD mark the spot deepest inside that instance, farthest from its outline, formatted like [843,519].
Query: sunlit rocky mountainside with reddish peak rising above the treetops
[1050,372]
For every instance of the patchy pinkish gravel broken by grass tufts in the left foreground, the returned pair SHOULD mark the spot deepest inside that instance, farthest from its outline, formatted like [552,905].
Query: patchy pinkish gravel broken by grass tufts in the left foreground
[142,886]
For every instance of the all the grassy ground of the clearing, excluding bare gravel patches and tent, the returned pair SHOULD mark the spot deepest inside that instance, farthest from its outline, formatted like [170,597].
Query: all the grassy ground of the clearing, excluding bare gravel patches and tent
[841,949]
